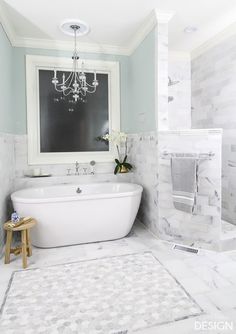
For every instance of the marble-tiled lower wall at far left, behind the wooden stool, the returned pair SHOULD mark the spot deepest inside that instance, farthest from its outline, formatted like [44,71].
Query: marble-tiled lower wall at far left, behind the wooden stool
[6,179]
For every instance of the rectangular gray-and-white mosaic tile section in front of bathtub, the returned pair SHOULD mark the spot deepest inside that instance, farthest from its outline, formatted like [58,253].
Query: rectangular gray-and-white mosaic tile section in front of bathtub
[123,294]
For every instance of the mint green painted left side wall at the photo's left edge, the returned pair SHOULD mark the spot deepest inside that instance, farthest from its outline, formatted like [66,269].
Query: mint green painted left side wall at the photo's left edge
[6,93]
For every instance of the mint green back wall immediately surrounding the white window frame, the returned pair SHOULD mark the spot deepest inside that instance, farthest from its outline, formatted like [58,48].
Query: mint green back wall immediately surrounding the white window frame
[20,87]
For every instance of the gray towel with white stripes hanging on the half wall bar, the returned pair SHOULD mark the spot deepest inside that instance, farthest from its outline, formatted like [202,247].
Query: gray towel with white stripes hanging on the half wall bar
[184,183]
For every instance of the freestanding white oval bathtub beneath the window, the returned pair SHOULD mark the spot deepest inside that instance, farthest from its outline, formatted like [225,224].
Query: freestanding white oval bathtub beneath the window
[66,216]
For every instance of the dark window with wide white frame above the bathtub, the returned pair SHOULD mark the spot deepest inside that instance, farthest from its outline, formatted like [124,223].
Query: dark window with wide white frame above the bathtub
[61,130]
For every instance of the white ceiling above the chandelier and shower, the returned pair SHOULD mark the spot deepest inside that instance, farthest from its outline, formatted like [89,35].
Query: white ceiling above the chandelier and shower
[115,22]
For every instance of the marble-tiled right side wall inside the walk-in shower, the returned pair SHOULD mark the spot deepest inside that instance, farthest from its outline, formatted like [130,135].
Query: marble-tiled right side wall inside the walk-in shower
[213,106]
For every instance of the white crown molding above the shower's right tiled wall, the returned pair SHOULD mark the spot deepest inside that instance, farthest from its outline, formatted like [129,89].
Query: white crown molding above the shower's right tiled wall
[217,39]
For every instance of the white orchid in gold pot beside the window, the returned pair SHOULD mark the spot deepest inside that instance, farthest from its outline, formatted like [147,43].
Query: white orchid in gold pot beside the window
[119,140]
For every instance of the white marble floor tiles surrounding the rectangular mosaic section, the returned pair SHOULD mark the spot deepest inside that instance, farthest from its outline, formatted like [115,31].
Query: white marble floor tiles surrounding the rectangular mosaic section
[209,277]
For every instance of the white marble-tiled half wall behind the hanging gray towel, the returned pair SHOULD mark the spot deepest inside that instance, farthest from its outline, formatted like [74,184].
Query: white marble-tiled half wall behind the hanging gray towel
[203,229]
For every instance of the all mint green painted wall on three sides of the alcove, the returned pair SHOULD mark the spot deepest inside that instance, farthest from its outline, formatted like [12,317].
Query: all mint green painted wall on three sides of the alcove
[137,75]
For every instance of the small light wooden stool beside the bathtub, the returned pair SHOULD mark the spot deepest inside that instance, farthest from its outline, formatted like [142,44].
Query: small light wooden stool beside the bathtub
[25,247]
